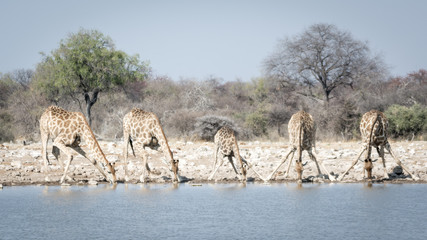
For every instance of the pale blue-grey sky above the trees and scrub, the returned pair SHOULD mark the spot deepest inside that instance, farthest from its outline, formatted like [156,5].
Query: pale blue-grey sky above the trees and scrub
[222,38]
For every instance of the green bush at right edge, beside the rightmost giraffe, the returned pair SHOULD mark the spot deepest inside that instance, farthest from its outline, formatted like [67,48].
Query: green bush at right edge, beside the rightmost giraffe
[407,121]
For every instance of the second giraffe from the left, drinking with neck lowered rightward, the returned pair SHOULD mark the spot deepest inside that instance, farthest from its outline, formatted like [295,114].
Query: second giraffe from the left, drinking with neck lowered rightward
[143,129]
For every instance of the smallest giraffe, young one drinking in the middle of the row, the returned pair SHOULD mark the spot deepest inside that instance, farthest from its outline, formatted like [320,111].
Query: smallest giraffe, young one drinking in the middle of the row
[225,141]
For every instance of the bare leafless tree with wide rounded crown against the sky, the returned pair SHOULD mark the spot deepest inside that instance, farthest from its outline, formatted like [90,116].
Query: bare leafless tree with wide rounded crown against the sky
[322,55]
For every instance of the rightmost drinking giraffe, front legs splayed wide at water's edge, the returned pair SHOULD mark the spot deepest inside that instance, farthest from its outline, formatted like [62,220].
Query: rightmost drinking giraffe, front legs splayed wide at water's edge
[373,128]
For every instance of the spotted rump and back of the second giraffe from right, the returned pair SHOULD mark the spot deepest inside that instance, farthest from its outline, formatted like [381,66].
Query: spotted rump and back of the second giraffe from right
[304,121]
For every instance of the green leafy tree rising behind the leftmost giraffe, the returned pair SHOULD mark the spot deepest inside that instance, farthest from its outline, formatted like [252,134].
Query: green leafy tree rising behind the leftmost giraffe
[87,63]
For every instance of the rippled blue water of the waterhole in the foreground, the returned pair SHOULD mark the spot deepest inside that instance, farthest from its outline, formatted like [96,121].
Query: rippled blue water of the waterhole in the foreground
[215,211]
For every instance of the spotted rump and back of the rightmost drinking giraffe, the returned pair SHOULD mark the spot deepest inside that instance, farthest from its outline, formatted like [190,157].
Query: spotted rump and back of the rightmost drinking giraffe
[369,123]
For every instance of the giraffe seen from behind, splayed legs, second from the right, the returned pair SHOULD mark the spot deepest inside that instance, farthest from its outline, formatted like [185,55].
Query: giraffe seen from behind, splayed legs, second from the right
[302,134]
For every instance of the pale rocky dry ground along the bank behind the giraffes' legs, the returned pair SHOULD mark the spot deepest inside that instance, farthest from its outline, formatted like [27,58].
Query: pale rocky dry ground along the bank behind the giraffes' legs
[21,165]
